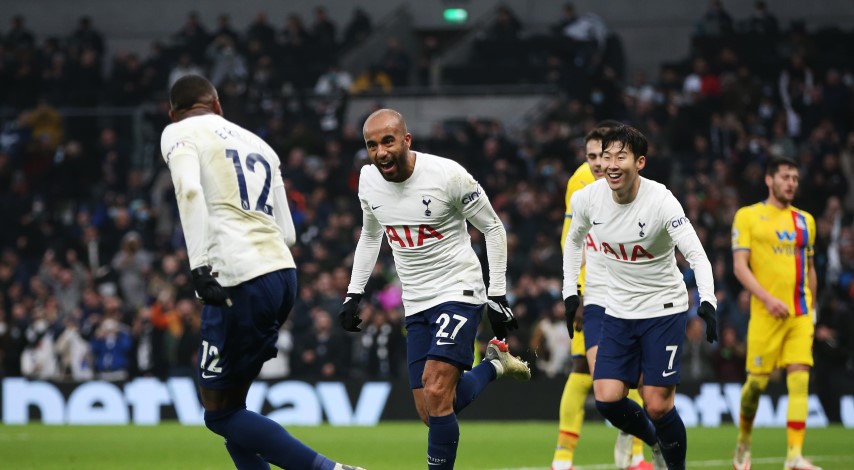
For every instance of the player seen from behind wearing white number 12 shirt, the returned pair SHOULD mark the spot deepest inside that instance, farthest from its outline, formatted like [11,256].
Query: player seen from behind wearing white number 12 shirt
[238,227]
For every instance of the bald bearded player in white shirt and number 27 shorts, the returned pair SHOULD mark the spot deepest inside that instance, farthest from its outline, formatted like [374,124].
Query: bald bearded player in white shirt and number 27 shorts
[421,203]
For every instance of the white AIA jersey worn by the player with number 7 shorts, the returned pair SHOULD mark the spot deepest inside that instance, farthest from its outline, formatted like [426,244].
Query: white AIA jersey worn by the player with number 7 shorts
[636,243]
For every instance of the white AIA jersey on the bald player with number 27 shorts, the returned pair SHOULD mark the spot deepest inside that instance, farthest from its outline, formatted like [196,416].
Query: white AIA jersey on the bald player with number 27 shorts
[424,220]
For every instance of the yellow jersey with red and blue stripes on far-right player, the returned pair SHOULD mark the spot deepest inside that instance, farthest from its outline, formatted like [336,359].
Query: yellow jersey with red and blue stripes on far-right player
[780,242]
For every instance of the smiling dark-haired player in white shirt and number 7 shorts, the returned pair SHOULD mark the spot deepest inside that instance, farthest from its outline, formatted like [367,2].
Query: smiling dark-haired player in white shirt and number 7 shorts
[637,223]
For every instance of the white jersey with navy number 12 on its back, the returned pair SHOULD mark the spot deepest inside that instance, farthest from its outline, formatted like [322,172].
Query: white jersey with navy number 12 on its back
[238,172]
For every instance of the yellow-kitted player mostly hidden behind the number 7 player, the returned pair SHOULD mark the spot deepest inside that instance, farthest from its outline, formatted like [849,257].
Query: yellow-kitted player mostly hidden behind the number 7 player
[628,451]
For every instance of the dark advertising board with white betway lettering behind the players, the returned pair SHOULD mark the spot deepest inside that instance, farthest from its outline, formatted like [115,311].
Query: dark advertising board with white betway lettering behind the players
[149,401]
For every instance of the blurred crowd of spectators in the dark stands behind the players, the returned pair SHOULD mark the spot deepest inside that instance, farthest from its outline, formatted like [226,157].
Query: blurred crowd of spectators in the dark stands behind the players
[93,268]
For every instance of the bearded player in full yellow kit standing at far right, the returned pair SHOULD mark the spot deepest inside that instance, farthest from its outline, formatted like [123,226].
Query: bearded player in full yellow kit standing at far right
[772,244]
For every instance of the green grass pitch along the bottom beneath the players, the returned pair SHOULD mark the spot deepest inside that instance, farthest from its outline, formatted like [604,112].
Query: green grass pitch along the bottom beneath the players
[390,446]
